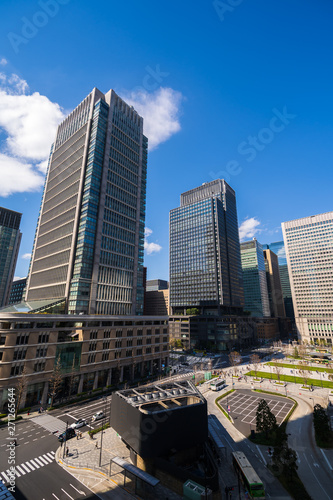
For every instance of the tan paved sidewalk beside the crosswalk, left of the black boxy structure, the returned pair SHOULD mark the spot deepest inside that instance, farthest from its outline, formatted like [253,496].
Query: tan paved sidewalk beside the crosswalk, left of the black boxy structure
[83,462]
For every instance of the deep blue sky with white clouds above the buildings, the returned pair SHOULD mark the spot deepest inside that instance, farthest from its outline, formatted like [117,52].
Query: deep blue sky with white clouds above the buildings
[234,89]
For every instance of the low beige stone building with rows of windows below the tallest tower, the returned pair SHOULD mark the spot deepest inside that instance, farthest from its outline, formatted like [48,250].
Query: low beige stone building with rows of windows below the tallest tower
[93,351]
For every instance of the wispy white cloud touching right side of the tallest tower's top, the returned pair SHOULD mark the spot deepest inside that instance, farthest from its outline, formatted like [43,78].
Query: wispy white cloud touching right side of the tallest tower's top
[160,111]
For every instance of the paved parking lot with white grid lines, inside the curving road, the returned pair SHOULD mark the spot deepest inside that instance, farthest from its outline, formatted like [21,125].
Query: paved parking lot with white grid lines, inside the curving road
[243,406]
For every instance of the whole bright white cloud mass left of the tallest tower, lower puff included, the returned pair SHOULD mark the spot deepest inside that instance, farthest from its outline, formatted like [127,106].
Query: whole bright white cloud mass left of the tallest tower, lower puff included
[29,122]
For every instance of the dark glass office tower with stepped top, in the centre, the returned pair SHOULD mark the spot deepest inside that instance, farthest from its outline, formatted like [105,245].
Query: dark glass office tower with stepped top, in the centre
[205,267]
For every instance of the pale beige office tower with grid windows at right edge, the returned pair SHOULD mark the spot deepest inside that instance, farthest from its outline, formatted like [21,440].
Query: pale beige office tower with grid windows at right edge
[309,250]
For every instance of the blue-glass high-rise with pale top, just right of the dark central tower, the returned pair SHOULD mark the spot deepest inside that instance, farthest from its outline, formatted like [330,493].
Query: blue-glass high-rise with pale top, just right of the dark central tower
[254,279]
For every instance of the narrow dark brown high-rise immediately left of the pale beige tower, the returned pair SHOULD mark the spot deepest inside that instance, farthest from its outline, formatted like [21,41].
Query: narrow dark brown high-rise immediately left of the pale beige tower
[276,302]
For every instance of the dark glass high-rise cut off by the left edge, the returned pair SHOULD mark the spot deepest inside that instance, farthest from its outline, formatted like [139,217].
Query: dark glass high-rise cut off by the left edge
[10,239]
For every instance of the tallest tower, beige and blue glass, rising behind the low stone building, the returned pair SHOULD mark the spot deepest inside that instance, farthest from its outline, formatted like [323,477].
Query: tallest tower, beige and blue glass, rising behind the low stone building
[89,240]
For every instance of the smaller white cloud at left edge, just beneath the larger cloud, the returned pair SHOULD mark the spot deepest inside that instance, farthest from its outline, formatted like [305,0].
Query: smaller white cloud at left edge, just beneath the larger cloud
[18,176]
